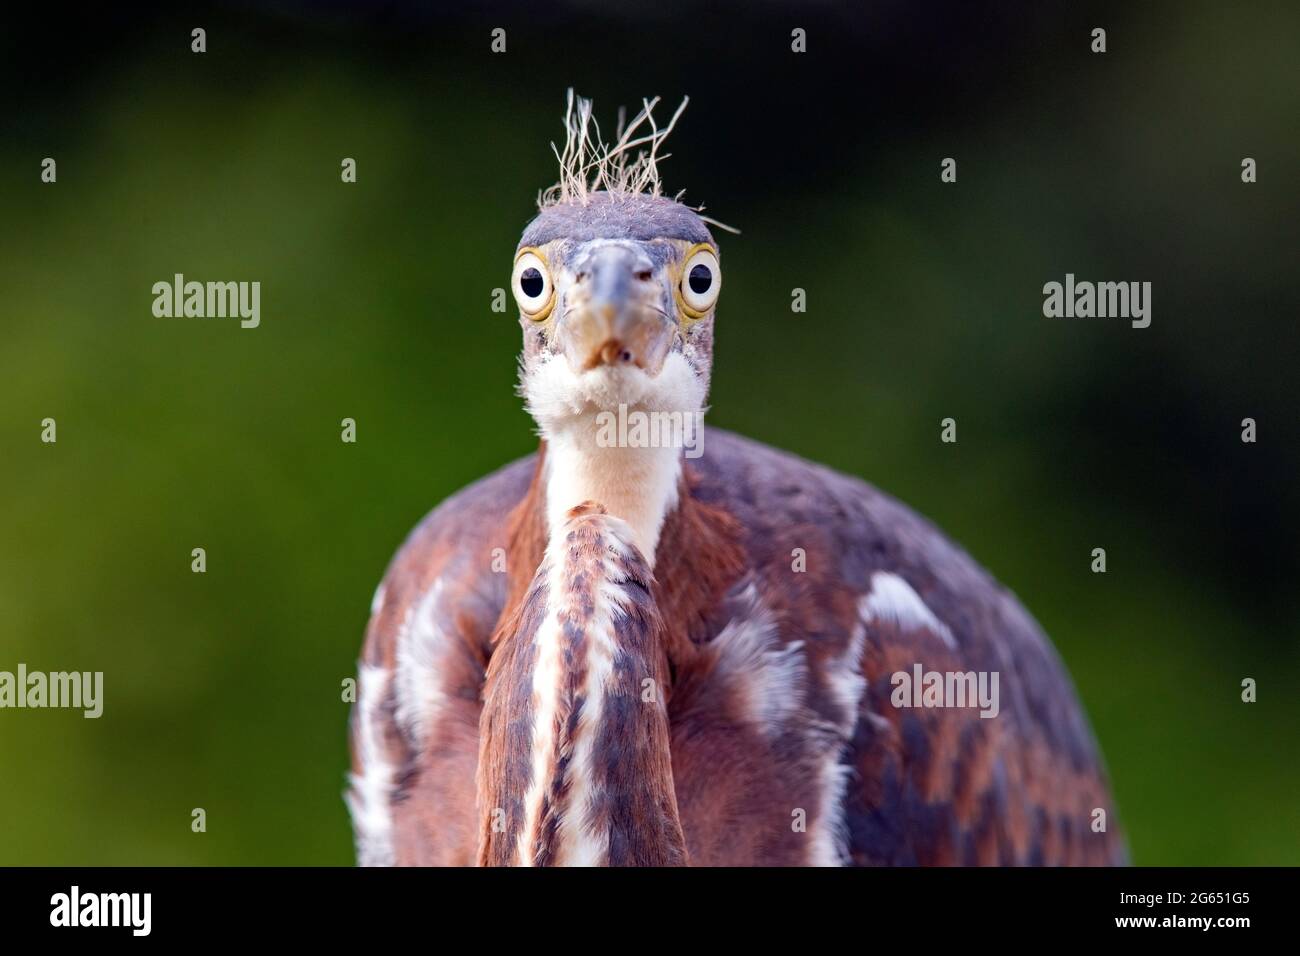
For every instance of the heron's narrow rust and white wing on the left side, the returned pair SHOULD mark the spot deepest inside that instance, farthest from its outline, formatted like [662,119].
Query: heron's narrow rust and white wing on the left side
[415,724]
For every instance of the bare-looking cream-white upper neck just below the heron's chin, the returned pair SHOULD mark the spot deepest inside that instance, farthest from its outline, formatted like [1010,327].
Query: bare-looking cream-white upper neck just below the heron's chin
[638,485]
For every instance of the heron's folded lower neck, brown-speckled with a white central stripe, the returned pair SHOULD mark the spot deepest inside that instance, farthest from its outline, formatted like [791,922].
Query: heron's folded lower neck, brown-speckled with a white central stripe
[575,765]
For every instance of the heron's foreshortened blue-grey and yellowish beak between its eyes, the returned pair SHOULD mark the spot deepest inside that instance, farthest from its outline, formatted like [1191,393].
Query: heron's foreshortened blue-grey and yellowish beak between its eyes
[614,315]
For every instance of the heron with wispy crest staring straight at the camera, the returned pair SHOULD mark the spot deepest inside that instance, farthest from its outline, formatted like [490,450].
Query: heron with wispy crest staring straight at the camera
[617,654]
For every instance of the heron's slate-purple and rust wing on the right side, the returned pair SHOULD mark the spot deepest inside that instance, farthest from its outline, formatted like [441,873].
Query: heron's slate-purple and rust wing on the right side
[873,591]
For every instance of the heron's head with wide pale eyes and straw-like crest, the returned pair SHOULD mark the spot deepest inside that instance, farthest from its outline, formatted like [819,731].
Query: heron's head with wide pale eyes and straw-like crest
[617,284]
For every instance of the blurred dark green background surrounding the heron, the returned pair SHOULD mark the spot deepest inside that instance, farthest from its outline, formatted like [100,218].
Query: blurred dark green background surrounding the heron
[925,301]
